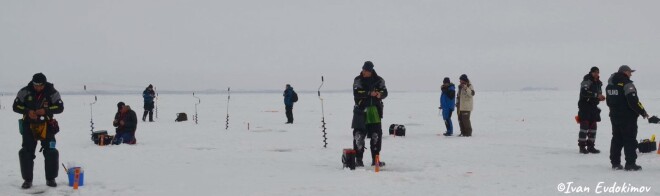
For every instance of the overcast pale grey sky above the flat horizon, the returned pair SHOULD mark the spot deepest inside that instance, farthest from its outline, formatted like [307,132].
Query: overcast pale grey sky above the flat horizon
[264,44]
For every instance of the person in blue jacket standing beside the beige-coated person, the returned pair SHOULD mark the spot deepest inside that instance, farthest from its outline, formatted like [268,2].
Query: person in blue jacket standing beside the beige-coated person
[447,104]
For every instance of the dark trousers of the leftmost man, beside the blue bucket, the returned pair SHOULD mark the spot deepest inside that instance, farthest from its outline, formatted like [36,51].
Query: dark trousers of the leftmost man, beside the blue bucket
[26,155]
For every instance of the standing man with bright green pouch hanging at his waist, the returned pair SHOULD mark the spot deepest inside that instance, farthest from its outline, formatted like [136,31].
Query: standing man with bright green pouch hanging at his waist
[368,93]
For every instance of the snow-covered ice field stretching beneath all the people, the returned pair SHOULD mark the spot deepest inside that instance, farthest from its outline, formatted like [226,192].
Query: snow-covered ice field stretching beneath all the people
[524,143]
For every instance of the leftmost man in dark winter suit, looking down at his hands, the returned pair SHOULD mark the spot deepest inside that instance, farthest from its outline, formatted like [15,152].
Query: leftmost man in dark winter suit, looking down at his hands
[37,102]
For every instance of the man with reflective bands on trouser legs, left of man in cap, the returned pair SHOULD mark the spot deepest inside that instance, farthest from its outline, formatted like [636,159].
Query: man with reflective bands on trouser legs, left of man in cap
[591,94]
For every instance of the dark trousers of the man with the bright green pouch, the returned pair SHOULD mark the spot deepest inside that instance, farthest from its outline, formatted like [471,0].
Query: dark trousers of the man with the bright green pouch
[373,131]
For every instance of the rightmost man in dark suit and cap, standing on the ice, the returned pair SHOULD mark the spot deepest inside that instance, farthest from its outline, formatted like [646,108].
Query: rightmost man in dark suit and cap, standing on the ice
[625,108]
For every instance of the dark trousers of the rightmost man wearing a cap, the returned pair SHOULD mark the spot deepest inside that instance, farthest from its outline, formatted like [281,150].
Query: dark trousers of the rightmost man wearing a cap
[624,135]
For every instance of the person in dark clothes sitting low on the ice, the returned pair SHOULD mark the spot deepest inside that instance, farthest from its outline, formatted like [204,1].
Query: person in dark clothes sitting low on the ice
[125,123]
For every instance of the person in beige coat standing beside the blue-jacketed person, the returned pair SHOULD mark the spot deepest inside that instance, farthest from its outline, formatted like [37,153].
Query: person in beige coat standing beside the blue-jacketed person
[464,103]
